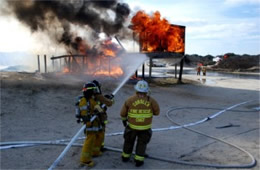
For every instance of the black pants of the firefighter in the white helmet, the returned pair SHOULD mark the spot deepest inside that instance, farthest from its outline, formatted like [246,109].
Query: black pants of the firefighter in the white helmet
[143,137]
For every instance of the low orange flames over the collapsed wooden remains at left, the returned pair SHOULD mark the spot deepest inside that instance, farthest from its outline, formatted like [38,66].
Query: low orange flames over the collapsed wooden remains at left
[100,60]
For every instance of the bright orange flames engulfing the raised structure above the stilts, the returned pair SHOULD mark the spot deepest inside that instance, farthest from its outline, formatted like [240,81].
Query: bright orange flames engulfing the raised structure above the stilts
[156,34]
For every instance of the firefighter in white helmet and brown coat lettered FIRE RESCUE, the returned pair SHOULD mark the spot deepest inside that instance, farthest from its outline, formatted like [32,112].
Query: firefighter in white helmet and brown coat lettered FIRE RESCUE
[137,113]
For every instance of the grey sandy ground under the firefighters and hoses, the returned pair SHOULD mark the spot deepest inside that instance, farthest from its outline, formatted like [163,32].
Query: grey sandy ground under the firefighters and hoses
[37,107]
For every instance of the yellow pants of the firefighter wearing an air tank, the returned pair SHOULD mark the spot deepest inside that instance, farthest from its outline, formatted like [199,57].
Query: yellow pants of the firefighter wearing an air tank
[91,146]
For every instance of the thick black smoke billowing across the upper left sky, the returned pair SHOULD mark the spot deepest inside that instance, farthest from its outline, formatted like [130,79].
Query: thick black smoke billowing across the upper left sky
[106,16]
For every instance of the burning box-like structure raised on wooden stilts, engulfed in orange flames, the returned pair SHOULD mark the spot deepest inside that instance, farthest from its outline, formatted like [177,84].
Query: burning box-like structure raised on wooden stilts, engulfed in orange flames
[159,39]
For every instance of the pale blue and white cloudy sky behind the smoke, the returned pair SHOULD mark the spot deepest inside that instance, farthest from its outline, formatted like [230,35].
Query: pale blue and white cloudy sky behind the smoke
[213,27]
